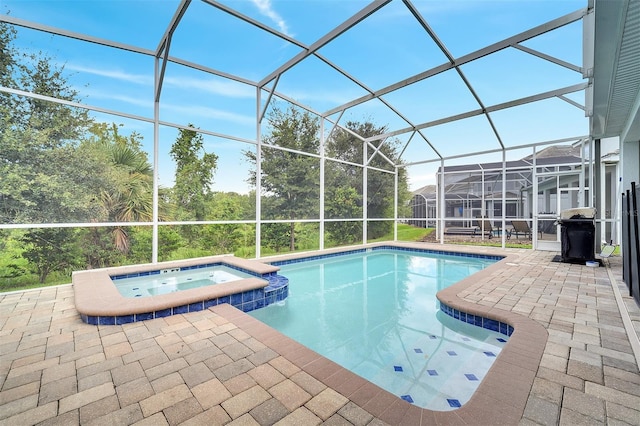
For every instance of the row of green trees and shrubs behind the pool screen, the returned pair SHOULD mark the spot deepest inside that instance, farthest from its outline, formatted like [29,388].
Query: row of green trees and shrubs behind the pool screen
[60,165]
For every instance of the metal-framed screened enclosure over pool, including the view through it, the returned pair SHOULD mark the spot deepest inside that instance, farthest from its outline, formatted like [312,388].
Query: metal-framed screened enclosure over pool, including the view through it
[141,131]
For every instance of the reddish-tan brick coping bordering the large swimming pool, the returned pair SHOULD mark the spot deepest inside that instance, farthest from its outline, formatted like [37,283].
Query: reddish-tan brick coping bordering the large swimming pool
[501,396]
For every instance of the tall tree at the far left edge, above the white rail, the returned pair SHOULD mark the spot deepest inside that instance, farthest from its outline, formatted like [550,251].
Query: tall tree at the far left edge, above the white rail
[44,181]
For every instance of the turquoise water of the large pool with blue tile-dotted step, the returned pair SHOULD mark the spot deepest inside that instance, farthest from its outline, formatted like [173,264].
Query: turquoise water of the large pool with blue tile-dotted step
[376,314]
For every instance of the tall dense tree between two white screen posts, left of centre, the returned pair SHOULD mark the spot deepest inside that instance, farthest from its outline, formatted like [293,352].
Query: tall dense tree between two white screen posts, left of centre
[290,181]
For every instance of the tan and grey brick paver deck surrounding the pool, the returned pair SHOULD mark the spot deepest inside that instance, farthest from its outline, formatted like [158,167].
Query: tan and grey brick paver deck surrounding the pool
[221,366]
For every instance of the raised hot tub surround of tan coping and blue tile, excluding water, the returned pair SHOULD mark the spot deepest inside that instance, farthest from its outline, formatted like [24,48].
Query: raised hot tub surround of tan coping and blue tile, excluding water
[99,301]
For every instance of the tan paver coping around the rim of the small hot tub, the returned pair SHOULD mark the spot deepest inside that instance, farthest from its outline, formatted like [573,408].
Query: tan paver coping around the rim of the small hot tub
[97,296]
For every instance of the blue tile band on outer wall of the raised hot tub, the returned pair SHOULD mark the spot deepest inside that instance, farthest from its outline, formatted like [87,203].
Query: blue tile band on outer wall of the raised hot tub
[277,290]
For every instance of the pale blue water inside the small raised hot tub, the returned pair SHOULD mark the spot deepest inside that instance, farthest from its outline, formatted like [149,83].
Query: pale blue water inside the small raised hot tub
[168,281]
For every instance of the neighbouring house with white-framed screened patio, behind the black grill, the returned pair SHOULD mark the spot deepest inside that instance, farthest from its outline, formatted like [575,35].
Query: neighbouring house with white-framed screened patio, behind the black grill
[478,190]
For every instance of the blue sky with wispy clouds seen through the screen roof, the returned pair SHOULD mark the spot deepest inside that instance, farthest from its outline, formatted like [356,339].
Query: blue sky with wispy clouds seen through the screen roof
[387,46]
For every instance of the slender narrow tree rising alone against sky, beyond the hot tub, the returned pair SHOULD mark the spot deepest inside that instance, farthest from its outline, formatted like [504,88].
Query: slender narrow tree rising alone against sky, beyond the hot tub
[195,170]
